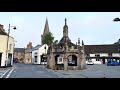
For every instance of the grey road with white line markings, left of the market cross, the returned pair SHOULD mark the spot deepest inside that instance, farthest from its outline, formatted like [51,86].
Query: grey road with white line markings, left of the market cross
[29,71]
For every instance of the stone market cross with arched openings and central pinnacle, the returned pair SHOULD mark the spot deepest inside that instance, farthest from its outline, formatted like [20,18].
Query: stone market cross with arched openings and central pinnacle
[66,54]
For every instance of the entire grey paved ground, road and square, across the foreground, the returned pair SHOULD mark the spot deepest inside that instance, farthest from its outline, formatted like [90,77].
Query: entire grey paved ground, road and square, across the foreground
[39,71]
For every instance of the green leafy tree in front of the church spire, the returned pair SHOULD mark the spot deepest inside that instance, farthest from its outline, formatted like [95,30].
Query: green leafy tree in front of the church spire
[48,38]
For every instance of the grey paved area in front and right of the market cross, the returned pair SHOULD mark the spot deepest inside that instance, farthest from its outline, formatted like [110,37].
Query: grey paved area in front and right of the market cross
[92,71]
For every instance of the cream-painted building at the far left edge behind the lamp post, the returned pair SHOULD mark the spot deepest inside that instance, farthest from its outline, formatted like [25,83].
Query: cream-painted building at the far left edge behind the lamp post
[6,48]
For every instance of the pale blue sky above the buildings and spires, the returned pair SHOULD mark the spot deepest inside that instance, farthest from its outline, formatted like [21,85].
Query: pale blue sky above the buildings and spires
[93,28]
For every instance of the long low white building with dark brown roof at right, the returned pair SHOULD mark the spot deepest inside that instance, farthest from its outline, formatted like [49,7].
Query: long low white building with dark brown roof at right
[100,54]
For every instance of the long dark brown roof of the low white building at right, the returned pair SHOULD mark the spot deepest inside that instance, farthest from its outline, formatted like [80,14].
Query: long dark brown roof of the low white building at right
[110,48]
